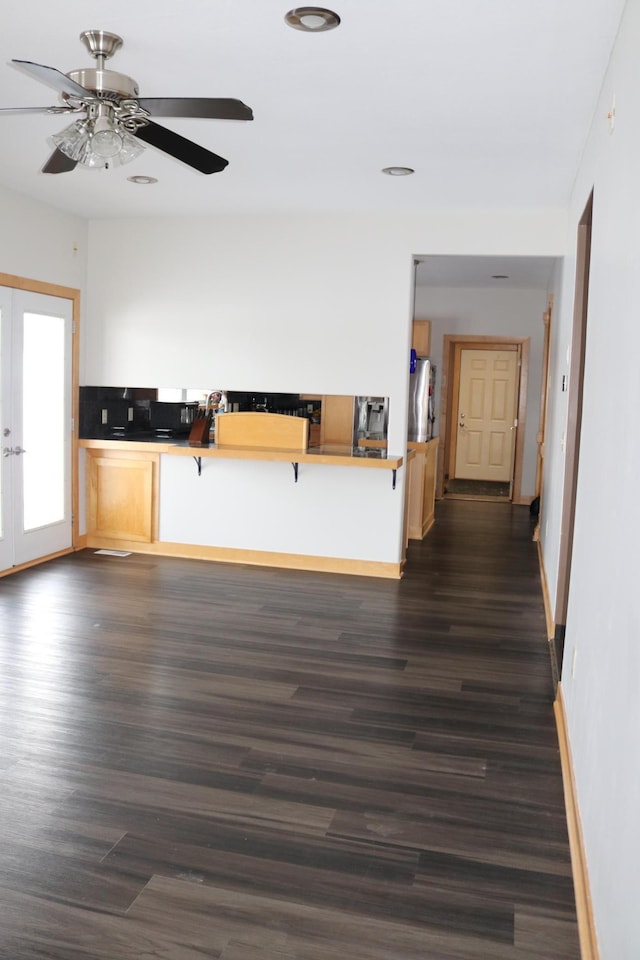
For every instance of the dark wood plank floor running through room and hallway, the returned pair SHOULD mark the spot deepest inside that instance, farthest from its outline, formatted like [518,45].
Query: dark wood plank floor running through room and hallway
[209,761]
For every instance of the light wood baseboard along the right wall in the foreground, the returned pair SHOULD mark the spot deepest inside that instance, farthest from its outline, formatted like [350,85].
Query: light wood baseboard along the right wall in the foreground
[584,908]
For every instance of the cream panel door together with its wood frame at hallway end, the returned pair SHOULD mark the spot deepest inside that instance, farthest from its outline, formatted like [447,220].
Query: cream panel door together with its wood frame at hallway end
[483,460]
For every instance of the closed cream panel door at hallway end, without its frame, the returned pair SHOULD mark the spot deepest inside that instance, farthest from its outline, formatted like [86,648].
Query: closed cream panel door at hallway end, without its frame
[486,415]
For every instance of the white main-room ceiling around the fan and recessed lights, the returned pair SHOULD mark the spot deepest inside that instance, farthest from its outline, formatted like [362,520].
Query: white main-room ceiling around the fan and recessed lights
[489,102]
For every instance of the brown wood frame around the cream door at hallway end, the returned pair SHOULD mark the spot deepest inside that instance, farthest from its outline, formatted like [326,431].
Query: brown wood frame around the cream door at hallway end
[452,344]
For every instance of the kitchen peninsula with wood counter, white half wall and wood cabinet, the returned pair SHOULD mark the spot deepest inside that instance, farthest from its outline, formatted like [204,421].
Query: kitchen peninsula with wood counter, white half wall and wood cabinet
[257,498]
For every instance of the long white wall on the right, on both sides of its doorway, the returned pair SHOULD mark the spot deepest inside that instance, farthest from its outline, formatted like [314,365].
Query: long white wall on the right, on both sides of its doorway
[601,675]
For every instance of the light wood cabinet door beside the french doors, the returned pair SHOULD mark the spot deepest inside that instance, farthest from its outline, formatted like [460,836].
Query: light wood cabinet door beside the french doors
[122,502]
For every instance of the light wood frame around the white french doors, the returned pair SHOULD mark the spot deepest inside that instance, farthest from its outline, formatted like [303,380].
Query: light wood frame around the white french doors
[64,293]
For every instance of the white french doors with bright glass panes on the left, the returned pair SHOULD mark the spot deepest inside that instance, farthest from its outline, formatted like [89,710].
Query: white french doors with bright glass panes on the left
[36,426]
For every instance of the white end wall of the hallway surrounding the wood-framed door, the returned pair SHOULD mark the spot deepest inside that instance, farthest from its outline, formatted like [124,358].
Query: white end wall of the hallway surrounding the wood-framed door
[498,313]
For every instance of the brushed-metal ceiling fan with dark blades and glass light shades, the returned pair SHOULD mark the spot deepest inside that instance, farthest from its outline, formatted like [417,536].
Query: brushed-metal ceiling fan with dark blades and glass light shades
[112,118]
